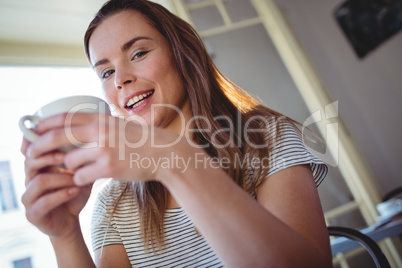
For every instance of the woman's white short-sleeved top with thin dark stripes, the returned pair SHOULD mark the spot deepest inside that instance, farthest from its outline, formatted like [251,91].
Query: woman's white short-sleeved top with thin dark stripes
[183,246]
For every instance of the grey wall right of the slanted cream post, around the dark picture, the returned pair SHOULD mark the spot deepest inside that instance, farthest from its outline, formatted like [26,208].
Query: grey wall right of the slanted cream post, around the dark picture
[369,90]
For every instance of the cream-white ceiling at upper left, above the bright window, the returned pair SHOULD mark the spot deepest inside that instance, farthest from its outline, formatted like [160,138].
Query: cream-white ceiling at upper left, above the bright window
[46,31]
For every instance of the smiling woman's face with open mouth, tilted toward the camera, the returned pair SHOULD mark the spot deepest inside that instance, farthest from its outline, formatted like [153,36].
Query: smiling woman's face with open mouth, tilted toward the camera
[135,65]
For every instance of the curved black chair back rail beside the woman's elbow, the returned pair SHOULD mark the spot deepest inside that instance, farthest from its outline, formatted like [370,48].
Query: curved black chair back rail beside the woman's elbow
[369,244]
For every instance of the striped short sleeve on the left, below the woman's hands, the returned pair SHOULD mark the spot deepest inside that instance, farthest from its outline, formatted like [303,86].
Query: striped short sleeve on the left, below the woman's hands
[103,231]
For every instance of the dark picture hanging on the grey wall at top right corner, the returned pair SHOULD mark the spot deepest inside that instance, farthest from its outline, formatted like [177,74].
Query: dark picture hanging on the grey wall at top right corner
[369,23]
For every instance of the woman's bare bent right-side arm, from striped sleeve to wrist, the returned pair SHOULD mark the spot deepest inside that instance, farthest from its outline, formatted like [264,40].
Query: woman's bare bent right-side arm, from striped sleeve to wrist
[285,228]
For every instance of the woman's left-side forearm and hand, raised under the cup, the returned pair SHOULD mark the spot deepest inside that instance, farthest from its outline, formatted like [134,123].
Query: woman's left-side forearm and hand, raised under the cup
[53,203]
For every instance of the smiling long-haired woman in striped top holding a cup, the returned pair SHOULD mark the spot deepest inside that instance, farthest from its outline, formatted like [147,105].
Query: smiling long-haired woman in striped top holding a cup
[203,175]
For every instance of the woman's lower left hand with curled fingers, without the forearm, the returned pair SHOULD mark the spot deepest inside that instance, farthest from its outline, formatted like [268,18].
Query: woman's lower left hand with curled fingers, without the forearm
[52,200]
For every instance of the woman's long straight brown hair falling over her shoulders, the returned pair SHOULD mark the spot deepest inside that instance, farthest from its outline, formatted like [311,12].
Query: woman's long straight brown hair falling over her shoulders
[211,96]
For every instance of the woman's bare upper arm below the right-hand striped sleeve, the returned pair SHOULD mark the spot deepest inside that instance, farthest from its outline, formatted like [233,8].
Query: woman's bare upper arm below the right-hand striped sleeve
[291,195]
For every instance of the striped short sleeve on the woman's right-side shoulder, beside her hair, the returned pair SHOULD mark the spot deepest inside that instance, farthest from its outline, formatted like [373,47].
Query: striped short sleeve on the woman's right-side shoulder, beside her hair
[288,150]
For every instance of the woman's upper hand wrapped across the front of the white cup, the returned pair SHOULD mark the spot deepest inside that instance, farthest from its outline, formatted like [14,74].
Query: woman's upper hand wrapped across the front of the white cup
[107,146]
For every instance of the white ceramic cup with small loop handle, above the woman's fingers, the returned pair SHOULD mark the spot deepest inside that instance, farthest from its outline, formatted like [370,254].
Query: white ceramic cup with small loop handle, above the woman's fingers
[73,104]
